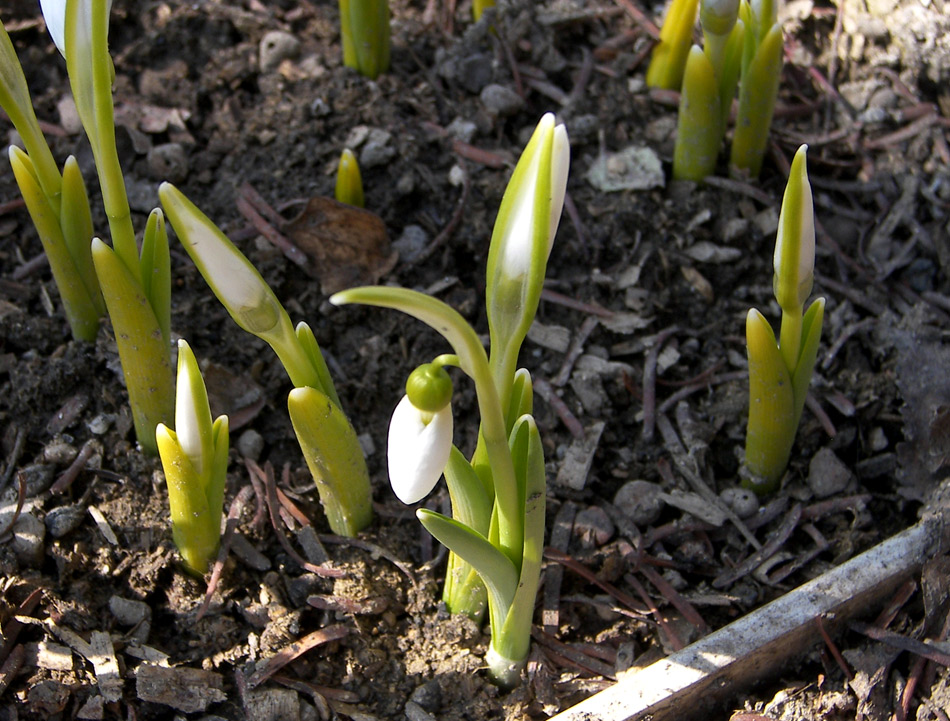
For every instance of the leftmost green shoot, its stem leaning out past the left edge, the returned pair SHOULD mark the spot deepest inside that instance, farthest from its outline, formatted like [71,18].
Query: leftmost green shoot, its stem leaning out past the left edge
[58,204]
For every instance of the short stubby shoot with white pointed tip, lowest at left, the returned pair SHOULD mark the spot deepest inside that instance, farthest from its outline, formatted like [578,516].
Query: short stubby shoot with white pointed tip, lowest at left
[195,460]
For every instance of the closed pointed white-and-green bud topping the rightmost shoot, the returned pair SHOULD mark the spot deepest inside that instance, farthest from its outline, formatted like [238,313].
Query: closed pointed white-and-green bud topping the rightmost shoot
[794,259]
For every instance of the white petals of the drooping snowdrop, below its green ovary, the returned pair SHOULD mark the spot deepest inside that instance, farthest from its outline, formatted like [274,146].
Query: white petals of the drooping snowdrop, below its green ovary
[419,447]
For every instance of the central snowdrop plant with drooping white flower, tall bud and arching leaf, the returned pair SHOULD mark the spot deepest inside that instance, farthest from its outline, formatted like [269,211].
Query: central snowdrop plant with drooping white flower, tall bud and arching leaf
[497,530]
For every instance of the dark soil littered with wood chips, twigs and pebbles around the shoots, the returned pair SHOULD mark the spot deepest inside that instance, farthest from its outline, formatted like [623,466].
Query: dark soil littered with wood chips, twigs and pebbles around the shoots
[638,358]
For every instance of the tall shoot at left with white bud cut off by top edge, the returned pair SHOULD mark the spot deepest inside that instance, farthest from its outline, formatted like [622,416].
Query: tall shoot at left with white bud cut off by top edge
[136,286]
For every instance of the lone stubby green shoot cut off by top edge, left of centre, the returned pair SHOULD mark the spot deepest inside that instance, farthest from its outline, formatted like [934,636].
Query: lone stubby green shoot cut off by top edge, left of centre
[364,26]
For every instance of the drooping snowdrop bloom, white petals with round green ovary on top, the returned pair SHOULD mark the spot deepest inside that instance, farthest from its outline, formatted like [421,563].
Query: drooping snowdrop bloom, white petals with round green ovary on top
[420,434]
